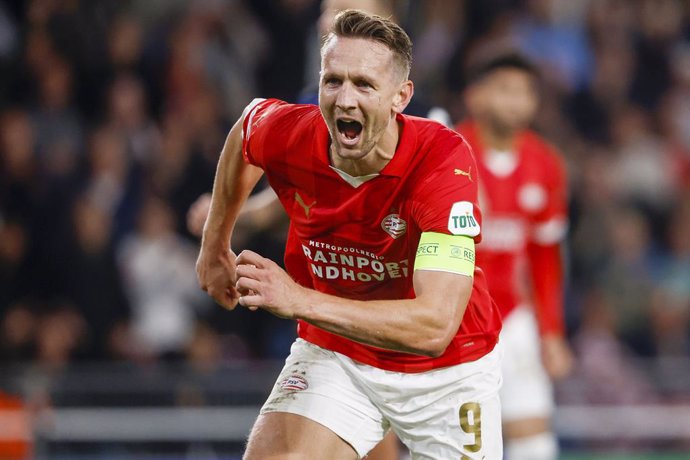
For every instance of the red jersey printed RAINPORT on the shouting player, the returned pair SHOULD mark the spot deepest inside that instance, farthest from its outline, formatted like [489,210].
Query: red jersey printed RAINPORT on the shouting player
[358,240]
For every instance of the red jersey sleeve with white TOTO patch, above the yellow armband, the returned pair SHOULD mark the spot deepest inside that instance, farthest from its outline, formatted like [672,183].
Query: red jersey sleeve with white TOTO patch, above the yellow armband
[446,200]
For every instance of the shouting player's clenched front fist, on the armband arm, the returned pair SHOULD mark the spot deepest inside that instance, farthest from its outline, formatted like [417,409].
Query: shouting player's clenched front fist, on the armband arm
[263,284]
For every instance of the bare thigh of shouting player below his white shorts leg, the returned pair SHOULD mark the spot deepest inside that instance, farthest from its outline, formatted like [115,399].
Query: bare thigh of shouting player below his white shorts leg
[280,435]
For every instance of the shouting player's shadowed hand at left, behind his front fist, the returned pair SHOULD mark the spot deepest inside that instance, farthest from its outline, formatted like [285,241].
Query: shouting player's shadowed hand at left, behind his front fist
[215,269]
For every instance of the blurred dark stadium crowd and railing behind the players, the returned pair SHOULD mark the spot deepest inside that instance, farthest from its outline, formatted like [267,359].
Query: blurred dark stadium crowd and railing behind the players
[112,117]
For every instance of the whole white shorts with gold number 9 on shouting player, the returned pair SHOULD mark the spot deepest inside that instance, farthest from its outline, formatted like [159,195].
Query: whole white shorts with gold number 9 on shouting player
[452,412]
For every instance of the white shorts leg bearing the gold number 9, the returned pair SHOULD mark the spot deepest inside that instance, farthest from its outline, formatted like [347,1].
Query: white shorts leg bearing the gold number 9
[453,412]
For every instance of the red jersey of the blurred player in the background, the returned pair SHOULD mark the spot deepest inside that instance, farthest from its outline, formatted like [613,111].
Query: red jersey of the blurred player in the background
[525,209]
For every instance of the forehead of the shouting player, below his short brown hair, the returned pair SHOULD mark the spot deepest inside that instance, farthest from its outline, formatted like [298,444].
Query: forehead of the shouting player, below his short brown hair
[357,55]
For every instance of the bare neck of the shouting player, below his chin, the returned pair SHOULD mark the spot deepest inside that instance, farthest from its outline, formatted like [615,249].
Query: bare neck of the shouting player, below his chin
[376,159]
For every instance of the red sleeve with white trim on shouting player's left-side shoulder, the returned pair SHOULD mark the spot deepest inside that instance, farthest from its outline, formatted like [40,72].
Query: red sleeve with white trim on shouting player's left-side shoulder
[257,120]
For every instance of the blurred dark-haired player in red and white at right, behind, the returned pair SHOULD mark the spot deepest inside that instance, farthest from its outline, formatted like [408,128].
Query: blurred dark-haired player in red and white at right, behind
[523,197]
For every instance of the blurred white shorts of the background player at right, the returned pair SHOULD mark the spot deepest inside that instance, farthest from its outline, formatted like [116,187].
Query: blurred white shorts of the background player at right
[527,391]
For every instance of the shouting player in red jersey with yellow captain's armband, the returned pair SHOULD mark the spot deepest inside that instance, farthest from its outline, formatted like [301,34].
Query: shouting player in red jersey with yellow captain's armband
[396,327]
